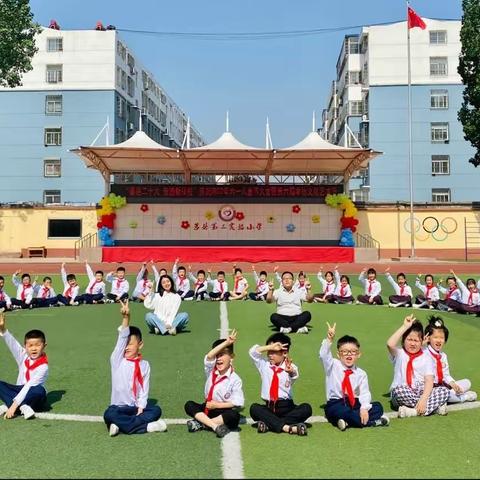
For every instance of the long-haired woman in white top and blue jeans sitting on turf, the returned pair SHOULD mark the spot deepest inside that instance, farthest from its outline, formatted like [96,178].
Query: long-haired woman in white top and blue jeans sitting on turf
[165,304]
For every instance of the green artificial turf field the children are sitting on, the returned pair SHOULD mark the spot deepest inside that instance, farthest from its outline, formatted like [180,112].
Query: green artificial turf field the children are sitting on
[80,340]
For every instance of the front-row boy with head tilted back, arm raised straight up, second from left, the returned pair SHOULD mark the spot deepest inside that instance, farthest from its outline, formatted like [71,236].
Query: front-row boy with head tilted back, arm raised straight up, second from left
[128,411]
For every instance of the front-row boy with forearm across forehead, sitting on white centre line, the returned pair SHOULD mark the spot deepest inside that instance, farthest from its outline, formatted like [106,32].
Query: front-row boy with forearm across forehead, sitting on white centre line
[223,392]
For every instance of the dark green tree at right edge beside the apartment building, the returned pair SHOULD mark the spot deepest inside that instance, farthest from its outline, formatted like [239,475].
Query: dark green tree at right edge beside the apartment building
[469,70]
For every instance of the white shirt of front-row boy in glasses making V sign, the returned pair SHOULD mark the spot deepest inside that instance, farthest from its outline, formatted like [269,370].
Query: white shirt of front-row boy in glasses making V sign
[335,373]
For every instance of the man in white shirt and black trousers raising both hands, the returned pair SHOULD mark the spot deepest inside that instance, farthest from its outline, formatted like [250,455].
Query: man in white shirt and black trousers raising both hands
[289,316]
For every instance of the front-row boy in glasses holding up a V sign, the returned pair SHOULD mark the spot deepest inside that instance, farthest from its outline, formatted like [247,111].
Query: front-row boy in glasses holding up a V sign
[349,401]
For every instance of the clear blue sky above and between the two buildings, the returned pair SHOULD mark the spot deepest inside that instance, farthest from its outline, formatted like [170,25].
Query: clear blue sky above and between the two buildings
[284,79]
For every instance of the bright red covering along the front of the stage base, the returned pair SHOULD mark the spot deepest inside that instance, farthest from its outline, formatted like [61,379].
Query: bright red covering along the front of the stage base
[231,254]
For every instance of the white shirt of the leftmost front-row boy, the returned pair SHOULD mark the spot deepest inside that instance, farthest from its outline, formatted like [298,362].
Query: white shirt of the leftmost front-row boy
[38,376]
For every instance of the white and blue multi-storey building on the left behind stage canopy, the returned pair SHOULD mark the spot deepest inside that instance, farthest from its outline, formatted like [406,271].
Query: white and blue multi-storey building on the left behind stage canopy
[82,82]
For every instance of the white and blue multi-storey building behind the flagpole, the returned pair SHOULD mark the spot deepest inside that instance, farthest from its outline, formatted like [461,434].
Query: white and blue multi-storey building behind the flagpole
[368,106]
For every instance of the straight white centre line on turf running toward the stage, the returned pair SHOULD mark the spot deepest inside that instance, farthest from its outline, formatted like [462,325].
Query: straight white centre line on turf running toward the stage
[232,462]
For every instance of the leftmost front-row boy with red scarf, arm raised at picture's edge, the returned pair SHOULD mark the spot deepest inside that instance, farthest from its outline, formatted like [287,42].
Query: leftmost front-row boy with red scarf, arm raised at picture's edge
[28,394]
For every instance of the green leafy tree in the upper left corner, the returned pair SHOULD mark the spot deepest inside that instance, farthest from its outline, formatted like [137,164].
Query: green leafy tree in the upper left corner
[17,41]
